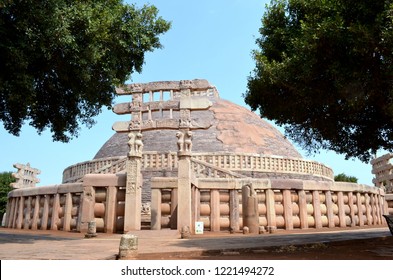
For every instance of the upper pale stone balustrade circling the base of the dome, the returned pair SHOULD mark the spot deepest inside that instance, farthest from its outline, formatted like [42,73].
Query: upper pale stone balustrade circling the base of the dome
[244,164]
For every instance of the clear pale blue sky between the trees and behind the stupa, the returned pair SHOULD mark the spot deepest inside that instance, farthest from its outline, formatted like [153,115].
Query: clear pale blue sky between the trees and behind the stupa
[209,39]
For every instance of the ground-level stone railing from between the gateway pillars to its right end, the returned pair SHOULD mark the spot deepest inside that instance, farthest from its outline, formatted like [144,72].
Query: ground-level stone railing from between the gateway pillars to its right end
[282,204]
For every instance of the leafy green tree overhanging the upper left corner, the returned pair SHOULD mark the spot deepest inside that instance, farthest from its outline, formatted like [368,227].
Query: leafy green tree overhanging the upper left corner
[60,60]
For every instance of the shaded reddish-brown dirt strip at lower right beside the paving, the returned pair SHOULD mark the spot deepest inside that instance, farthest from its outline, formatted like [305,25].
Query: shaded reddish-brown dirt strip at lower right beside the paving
[364,249]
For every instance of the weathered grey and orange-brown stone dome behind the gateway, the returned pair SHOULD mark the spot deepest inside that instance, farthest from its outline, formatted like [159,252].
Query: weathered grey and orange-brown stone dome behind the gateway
[234,129]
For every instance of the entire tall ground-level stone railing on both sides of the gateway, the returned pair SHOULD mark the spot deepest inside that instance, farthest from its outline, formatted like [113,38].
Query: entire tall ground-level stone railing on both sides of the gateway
[217,202]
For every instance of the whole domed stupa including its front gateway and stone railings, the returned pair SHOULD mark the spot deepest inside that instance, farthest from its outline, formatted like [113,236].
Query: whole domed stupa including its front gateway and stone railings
[182,155]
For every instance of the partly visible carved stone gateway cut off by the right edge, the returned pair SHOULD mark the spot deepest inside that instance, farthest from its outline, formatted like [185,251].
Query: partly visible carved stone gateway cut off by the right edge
[382,168]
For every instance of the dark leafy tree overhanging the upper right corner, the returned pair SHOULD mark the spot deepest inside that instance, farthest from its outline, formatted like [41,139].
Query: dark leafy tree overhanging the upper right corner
[324,71]
